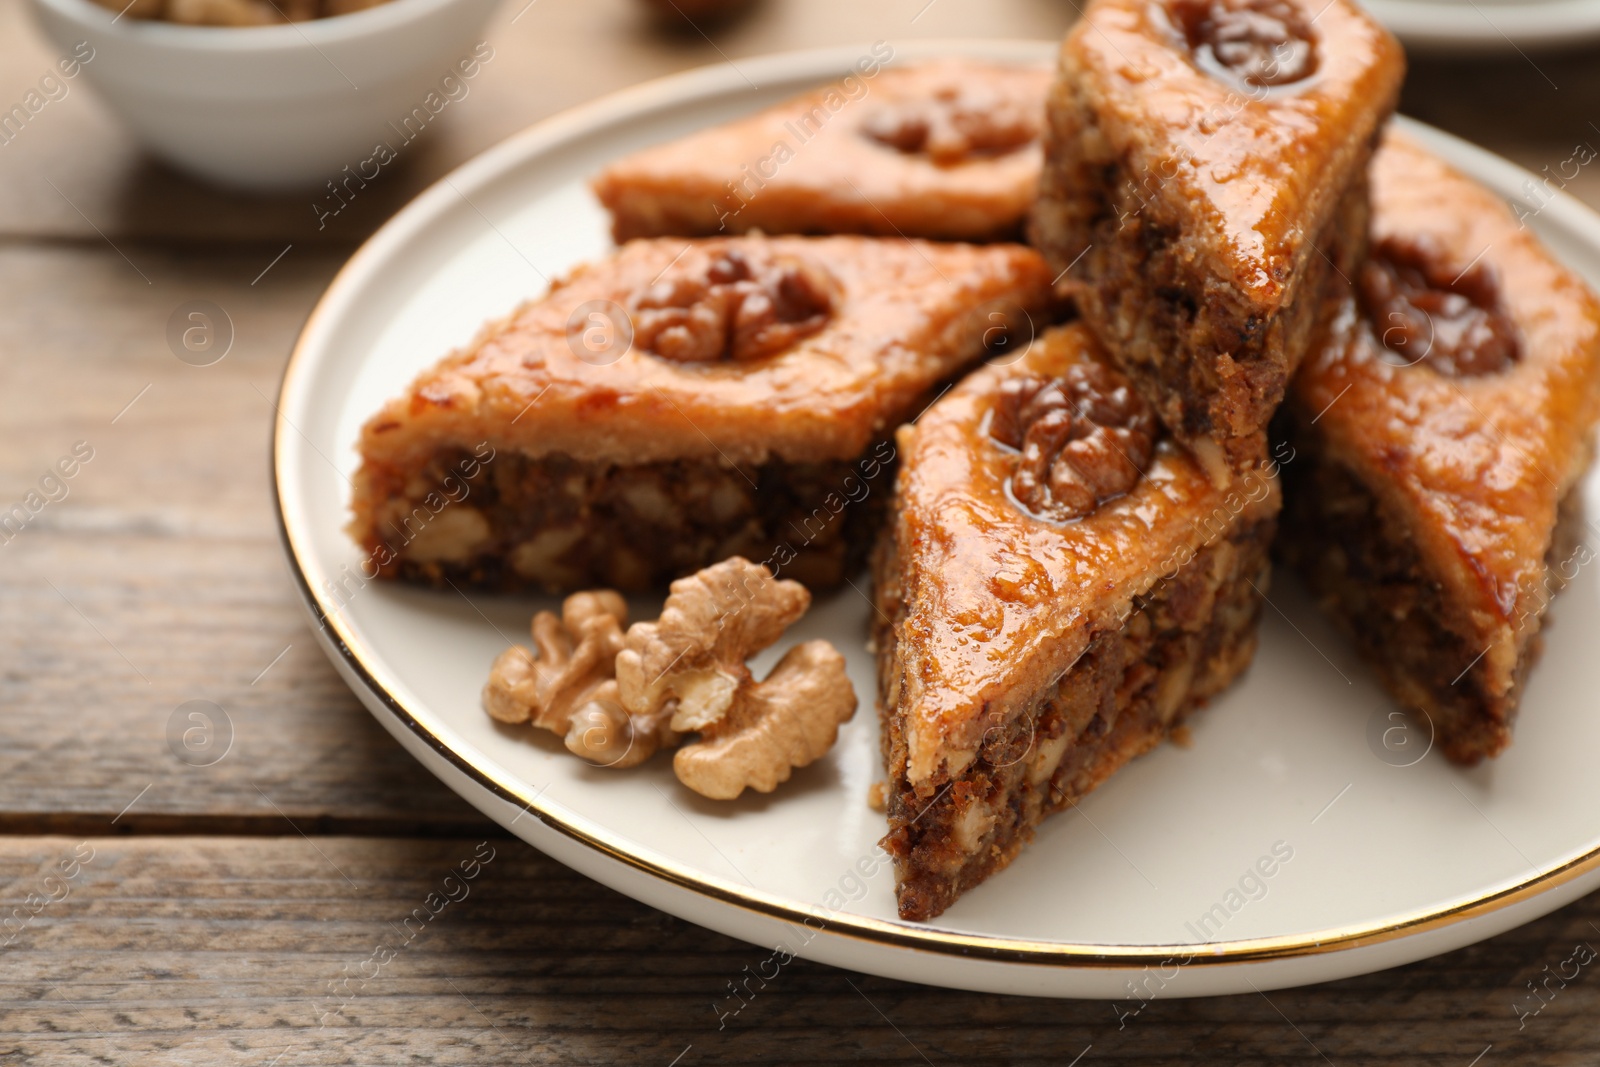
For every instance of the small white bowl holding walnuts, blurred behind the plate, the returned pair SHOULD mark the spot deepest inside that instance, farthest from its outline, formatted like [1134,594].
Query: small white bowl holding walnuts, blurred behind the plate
[281,106]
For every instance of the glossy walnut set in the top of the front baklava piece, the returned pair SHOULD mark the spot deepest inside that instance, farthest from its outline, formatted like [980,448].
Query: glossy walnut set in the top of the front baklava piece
[1084,439]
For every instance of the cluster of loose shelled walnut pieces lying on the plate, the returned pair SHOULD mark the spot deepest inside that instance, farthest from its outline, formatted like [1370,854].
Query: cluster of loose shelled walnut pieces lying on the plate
[617,700]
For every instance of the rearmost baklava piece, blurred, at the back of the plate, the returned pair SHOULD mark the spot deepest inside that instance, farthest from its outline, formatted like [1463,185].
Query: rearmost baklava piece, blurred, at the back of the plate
[945,151]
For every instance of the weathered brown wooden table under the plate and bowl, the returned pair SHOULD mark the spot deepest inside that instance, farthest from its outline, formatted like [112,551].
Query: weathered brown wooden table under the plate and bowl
[223,914]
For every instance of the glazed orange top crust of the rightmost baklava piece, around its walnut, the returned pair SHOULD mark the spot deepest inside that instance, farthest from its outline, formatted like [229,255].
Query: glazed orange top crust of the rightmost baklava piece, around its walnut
[1474,465]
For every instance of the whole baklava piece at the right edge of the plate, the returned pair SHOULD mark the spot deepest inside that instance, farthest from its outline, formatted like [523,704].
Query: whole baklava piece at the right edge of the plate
[1441,433]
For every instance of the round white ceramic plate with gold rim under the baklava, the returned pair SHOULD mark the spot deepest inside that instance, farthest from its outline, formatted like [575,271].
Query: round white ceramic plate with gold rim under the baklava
[1385,863]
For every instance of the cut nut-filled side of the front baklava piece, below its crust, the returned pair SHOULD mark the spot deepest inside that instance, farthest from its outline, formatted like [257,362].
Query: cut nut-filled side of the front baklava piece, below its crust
[1180,645]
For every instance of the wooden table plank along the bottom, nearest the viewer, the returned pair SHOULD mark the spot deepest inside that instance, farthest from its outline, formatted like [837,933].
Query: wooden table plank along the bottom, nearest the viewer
[223,951]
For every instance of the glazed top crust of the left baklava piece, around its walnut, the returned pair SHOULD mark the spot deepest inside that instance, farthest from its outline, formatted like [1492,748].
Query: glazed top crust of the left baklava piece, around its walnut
[905,318]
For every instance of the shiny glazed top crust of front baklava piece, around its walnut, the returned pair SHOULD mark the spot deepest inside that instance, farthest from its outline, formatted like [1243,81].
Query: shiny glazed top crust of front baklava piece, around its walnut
[999,602]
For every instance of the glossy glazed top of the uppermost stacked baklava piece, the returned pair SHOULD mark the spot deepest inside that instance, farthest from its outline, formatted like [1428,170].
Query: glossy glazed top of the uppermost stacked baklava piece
[1258,170]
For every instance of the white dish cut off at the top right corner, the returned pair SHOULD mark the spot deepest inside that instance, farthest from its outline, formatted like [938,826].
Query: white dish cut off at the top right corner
[1487,26]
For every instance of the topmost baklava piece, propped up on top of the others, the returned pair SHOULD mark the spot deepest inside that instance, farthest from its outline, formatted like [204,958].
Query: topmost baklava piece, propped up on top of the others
[1206,190]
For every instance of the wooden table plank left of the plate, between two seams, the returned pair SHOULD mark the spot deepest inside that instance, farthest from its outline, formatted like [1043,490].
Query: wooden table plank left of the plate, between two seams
[159,578]
